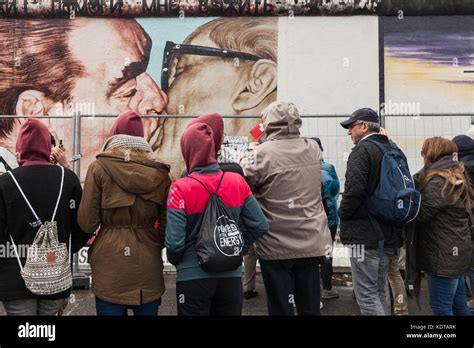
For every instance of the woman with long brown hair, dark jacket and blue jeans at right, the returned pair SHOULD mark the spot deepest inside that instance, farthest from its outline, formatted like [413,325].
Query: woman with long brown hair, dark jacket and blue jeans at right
[443,229]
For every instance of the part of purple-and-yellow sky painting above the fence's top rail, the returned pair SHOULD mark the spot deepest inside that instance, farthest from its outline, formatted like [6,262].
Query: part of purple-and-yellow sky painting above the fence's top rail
[428,61]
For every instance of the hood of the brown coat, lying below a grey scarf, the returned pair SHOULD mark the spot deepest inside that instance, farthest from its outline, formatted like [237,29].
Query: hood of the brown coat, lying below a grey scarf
[133,173]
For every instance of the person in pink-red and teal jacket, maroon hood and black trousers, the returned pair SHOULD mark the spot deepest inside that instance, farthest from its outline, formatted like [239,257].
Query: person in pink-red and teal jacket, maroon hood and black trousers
[199,292]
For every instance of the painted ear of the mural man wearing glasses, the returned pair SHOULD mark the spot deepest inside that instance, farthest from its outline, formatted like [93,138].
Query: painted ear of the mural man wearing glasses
[260,83]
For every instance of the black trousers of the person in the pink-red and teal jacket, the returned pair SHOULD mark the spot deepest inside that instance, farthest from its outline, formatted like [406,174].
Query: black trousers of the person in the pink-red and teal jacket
[211,296]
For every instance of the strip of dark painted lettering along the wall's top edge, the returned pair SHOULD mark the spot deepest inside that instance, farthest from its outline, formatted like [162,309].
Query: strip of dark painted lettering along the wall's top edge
[179,8]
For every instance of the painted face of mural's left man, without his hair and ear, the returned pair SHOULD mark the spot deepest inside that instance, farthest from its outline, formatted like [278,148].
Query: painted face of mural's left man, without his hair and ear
[115,56]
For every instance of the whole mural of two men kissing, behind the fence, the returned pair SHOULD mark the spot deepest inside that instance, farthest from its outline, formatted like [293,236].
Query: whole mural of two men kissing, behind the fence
[107,66]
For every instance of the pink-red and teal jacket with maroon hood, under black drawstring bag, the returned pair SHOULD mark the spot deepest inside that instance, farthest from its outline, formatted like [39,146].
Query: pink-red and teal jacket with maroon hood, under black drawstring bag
[187,202]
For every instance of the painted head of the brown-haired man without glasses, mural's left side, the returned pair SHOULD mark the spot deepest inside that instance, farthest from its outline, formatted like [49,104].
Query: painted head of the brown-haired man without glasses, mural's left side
[109,76]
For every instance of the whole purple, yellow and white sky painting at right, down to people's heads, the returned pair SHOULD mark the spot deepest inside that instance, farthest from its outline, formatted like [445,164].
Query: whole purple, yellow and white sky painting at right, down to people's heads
[427,72]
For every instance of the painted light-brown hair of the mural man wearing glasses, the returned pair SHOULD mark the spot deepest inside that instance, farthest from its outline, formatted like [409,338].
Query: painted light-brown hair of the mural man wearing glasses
[258,36]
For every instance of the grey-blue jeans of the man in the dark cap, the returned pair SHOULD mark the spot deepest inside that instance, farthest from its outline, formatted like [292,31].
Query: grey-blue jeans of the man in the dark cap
[369,274]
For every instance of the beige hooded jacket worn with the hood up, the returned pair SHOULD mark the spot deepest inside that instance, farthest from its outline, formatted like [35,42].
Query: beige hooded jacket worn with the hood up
[285,176]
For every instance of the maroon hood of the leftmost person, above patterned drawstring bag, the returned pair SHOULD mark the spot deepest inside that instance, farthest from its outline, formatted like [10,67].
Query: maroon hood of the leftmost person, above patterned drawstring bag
[33,143]
